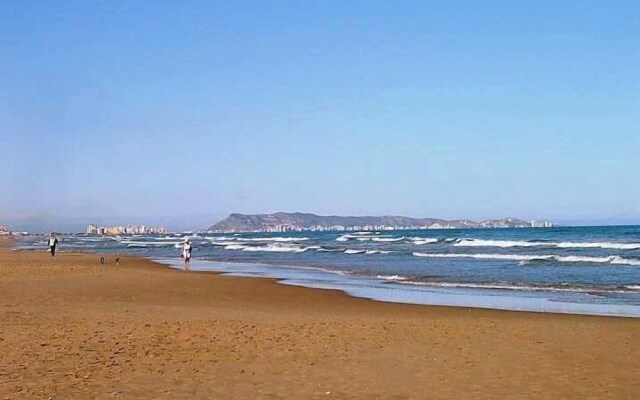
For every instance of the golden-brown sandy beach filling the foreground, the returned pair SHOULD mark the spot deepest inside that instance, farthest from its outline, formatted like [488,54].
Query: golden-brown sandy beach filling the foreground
[73,329]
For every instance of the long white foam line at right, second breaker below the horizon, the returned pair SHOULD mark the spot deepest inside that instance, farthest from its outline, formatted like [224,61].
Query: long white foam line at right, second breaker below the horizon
[617,260]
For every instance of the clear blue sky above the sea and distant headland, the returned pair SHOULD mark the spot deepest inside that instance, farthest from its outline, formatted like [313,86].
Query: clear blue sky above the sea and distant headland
[179,112]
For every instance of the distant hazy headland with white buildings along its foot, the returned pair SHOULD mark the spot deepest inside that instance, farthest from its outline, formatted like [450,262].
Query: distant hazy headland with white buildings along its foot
[282,222]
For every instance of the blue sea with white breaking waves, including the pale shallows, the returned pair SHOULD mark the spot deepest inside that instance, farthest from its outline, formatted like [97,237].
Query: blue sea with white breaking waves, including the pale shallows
[577,270]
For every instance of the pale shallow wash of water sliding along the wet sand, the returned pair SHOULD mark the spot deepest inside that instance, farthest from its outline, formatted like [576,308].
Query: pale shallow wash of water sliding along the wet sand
[378,290]
